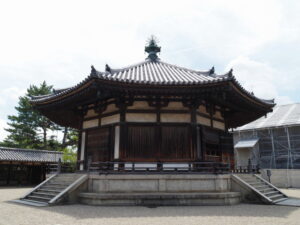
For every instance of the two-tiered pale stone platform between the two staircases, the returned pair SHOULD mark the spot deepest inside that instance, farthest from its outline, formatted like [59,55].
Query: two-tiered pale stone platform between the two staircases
[159,190]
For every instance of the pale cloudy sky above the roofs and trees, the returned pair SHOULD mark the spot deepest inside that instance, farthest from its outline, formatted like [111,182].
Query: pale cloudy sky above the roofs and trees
[58,41]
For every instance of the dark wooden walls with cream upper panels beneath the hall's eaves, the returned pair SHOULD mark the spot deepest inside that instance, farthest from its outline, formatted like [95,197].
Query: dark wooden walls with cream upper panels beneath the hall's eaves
[155,140]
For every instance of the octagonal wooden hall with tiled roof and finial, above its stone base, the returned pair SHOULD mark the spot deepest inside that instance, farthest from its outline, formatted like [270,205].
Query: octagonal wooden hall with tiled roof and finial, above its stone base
[153,112]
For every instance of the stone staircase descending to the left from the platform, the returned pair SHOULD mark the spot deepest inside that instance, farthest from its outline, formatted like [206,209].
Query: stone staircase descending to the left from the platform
[53,190]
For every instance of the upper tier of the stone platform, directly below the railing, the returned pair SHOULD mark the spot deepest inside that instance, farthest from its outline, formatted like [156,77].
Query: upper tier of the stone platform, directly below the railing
[147,183]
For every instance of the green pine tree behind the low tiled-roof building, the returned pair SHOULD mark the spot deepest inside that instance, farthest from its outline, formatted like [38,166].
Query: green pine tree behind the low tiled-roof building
[30,129]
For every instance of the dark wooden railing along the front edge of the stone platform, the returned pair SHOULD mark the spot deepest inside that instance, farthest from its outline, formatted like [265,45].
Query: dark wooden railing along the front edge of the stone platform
[159,167]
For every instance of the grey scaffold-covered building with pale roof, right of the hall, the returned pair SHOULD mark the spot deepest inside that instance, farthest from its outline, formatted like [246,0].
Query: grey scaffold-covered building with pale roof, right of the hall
[272,141]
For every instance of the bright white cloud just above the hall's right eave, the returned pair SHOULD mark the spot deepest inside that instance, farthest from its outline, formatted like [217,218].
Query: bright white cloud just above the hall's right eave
[260,78]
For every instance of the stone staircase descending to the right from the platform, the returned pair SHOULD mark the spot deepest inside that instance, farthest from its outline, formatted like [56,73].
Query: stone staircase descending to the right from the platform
[267,192]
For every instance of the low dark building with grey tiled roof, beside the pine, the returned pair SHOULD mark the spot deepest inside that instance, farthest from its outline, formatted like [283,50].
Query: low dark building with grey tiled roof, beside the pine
[25,166]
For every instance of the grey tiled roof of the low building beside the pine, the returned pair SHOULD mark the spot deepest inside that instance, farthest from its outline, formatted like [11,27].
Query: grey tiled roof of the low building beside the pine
[28,155]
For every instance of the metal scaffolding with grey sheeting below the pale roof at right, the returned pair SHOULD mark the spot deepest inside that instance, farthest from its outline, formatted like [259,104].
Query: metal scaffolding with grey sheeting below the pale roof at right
[277,148]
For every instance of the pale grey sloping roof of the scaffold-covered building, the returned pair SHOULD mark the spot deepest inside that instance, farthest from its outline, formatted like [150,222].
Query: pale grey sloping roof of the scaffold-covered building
[282,115]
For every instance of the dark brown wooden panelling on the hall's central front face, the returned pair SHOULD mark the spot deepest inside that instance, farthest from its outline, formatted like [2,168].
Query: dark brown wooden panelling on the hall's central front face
[157,143]
